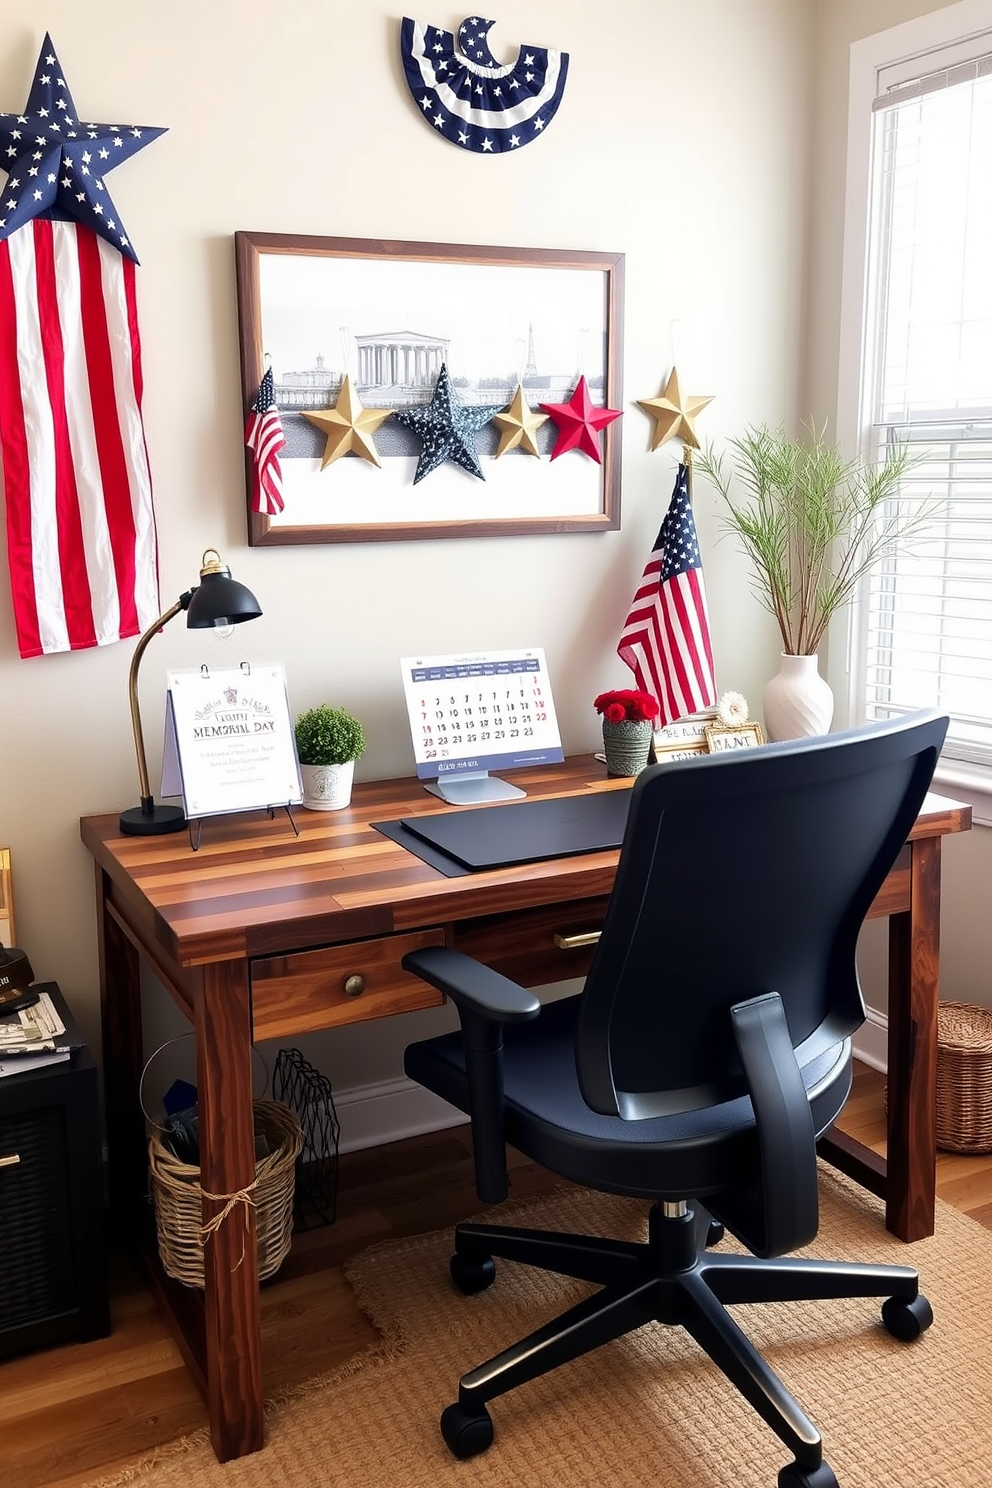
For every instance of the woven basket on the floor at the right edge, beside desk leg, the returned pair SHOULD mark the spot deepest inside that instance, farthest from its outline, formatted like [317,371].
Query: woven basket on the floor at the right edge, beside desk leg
[964,1078]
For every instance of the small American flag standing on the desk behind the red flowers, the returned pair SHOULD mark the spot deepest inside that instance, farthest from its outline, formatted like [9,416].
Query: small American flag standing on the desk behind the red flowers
[666,638]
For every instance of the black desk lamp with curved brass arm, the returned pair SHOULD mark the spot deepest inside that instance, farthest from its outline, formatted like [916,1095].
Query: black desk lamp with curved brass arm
[218,603]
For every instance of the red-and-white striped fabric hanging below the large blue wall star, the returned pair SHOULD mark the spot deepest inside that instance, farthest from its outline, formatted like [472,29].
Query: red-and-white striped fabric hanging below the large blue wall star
[81,529]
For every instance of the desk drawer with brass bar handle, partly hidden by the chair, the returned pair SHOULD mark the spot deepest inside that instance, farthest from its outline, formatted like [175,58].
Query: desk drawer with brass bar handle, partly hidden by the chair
[524,947]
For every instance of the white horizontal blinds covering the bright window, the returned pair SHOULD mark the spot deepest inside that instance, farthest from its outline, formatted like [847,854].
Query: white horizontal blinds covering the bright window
[927,635]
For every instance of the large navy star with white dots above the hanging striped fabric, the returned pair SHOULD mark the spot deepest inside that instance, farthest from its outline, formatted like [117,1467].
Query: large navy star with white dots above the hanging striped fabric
[57,164]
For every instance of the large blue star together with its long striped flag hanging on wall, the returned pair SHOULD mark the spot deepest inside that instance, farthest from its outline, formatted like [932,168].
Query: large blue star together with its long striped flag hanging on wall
[81,527]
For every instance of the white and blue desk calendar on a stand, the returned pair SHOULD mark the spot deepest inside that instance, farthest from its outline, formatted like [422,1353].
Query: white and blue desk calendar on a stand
[475,713]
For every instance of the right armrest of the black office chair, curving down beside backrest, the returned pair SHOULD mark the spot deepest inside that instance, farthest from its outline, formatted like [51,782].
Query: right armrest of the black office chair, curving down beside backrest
[788,1142]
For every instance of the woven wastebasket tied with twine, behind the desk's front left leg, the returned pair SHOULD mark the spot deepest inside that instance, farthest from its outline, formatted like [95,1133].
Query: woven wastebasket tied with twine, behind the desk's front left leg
[179,1199]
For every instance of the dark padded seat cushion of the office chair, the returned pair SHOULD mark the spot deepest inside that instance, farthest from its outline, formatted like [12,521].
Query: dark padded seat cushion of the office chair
[688,1152]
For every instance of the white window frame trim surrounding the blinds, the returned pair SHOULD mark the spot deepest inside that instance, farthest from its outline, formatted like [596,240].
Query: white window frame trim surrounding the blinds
[887,50]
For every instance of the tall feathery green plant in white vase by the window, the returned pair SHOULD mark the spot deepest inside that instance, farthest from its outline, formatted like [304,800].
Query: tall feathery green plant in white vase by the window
[813,526]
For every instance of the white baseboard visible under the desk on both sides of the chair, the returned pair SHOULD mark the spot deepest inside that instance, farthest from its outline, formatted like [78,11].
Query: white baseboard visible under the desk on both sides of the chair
[389,1111]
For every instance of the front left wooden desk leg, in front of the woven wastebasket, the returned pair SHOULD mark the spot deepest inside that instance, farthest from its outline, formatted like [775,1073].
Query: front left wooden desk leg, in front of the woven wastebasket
[227,1149]
